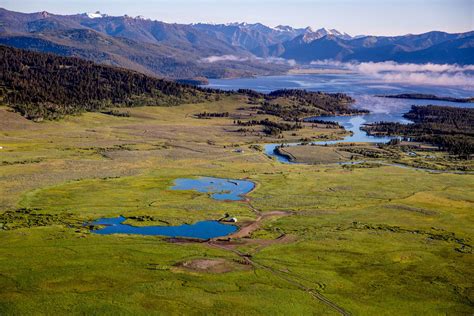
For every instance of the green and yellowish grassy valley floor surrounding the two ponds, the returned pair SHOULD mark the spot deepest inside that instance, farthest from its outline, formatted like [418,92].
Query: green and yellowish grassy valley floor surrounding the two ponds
[380,240]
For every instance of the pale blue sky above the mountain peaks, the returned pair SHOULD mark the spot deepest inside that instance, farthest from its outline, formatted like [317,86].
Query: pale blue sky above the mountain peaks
[378,17]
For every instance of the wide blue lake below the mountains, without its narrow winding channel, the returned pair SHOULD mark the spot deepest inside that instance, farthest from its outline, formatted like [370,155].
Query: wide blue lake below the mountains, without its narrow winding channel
[363,88]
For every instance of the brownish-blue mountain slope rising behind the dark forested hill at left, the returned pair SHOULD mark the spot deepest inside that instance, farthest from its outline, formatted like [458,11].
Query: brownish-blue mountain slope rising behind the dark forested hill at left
[151,47]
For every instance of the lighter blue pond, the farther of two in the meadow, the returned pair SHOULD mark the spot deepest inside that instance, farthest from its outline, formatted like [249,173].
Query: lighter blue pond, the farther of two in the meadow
[220,189]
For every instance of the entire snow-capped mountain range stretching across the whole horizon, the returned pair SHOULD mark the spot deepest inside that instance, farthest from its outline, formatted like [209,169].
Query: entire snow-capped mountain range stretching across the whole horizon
[216,50]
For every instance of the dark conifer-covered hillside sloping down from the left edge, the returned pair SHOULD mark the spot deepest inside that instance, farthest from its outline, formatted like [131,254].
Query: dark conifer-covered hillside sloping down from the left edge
[48,86]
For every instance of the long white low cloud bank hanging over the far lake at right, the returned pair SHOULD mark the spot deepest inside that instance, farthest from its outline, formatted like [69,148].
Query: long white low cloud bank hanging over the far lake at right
[427,74]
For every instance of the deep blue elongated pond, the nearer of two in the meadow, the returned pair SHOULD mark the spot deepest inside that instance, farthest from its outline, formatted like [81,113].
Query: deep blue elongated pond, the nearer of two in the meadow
[202,230]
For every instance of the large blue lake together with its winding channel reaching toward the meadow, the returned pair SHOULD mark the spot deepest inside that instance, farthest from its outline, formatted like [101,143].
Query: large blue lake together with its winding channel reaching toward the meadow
[362,88]
